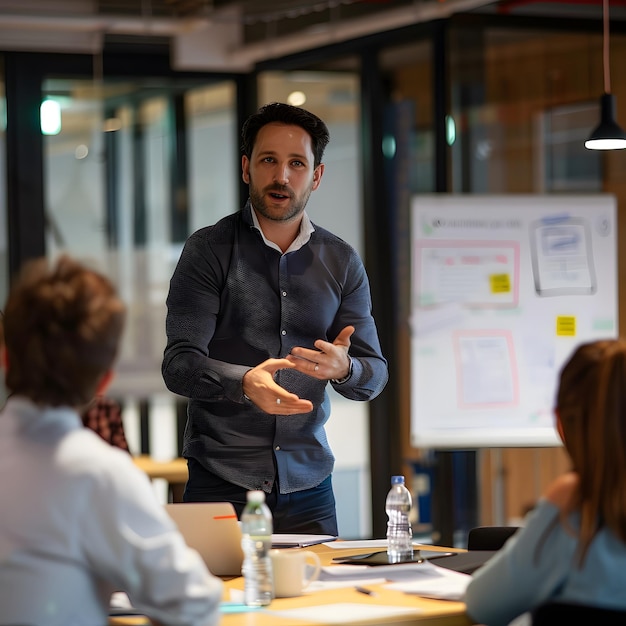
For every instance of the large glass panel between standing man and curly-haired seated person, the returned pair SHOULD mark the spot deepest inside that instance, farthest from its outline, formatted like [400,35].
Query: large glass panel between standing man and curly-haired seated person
[132,167]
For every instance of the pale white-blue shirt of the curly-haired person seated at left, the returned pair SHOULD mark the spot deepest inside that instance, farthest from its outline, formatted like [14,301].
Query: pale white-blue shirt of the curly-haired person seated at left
[79,521]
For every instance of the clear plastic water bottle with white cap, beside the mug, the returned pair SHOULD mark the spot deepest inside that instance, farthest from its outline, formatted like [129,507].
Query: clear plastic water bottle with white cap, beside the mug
[256,528]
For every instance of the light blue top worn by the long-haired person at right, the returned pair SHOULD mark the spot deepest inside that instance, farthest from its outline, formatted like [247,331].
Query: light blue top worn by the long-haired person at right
[539,563]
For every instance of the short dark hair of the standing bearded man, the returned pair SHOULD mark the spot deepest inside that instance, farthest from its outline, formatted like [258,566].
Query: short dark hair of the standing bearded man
[281,113]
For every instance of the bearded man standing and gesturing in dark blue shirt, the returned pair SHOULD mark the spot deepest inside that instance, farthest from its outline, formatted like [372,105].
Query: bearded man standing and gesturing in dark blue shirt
[264,309]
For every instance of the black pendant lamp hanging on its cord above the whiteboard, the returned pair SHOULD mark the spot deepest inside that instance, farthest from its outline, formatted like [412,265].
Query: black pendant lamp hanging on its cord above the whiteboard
[608,135]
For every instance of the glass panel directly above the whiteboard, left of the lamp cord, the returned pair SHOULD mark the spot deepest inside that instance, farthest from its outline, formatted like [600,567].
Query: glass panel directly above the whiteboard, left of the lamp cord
[524,102]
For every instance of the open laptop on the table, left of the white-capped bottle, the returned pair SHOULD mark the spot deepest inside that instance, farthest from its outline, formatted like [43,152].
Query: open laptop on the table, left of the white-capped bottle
[212,529]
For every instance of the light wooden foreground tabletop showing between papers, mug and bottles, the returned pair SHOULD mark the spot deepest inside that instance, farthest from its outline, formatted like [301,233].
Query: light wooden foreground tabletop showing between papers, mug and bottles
[344,605]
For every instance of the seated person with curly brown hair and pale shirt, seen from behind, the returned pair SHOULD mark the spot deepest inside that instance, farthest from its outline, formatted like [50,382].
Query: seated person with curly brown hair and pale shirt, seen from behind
[83,521]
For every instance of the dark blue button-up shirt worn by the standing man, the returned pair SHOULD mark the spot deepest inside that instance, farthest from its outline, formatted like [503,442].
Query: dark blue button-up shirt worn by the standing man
[235,301]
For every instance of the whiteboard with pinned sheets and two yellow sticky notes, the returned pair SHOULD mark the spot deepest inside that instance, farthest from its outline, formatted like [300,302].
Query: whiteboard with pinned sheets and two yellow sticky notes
[503,288]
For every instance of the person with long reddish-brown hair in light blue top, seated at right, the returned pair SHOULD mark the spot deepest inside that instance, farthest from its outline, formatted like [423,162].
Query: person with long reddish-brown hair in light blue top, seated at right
[572,547]
